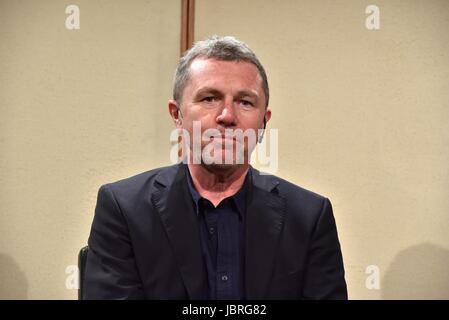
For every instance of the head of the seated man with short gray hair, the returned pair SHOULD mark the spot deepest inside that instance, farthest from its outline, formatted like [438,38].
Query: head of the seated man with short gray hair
[221,85]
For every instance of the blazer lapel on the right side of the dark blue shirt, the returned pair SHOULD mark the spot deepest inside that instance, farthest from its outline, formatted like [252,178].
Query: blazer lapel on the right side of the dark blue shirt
[264,222]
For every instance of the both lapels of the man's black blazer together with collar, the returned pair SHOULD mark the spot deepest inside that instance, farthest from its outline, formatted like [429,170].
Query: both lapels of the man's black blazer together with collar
[264,220]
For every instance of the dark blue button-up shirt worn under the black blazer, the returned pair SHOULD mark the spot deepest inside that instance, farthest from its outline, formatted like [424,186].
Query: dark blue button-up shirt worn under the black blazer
[222,241]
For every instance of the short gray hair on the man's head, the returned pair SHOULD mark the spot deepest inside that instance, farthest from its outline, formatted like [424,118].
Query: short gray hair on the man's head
[220,48]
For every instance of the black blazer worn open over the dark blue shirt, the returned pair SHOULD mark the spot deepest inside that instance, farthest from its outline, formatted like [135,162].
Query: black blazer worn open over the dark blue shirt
[145,241]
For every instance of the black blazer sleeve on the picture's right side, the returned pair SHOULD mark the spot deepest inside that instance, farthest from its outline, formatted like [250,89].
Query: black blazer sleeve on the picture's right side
[324,274]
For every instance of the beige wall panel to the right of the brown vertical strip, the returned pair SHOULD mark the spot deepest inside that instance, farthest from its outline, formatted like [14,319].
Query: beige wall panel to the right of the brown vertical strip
[363,119]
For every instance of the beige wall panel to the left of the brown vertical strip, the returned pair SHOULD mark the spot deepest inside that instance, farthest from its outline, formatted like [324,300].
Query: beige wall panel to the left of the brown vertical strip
[78,109]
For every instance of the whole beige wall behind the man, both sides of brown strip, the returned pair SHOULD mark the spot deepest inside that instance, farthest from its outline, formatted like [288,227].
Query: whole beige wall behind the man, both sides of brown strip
[362,118]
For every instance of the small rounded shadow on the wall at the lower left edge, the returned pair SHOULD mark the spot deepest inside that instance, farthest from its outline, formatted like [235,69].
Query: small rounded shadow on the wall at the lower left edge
[13,283]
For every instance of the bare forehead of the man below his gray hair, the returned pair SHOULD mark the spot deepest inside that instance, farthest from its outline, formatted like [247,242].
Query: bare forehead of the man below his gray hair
[209,72]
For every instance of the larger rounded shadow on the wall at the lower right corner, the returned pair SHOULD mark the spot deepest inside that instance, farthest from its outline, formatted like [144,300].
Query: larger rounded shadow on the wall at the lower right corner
[418,272]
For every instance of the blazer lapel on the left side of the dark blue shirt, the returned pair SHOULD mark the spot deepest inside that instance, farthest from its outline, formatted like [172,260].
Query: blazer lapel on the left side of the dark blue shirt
[174,205]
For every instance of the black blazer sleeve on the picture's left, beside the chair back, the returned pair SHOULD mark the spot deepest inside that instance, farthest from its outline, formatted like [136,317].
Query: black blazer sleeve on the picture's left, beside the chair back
[111,271]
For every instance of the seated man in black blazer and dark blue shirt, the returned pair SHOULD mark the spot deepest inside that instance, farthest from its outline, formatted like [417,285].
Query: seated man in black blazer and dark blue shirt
[214,229]
